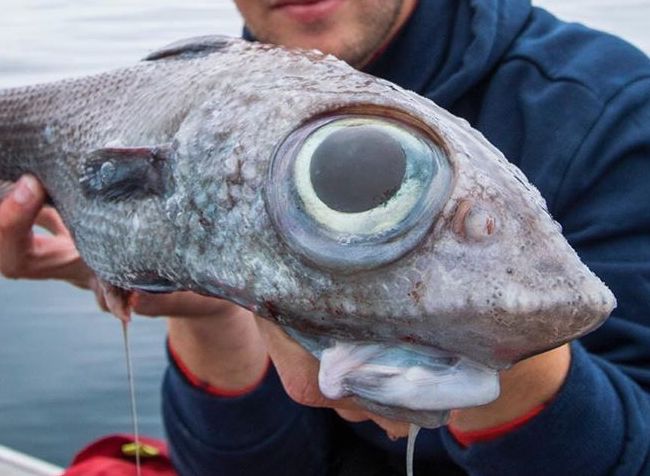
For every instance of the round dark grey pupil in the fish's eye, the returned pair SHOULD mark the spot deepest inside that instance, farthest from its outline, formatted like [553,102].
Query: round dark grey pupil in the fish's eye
[357,168]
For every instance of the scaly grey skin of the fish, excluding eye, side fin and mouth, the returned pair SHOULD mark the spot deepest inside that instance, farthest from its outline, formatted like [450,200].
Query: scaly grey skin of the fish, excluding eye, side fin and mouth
[492,279]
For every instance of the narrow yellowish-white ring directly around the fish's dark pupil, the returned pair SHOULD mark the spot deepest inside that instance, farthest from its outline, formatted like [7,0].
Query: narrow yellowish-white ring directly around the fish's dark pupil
[377,220]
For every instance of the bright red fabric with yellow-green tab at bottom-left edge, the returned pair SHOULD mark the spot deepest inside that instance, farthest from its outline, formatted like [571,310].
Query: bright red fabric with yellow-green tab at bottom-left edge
[105,457]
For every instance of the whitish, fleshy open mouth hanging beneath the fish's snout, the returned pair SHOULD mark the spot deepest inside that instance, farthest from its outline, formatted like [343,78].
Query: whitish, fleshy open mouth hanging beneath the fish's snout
[403,382]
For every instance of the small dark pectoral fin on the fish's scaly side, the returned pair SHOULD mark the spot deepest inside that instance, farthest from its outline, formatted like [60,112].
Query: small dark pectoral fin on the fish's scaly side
[121,173]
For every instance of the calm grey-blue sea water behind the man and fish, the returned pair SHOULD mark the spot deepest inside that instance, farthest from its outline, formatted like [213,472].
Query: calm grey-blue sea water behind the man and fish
[62,369]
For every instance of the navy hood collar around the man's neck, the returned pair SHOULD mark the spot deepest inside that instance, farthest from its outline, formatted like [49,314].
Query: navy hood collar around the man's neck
[448,46]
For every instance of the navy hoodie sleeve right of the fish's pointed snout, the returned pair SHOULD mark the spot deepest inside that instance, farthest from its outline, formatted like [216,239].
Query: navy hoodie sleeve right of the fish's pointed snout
[599,423]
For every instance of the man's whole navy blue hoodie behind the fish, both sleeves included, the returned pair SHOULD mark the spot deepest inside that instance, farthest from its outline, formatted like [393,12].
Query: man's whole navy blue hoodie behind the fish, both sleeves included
[571,108]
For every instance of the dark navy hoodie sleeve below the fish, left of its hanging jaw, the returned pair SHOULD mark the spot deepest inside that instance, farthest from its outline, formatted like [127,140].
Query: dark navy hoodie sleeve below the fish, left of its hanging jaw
[260,433]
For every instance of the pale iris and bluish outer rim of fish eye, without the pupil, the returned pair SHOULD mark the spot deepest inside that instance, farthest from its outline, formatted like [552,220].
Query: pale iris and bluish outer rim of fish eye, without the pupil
[358,248]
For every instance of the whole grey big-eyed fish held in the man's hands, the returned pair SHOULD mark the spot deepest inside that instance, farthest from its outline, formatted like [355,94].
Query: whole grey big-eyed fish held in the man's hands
[384,234]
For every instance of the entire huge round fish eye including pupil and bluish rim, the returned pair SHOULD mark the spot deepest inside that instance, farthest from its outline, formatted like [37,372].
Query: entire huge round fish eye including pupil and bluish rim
[355,192]
